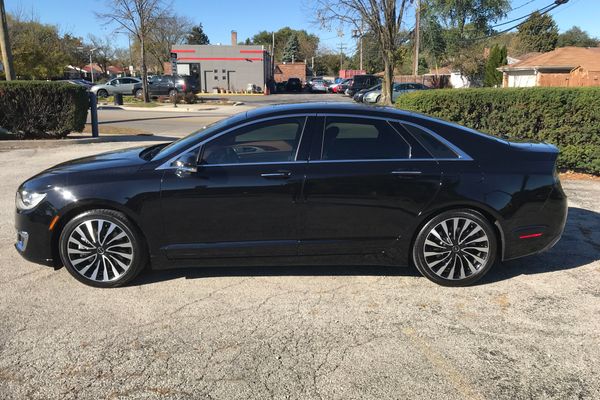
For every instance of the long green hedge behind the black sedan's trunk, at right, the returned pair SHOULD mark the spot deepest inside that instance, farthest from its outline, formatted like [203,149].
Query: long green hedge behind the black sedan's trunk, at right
[566,117]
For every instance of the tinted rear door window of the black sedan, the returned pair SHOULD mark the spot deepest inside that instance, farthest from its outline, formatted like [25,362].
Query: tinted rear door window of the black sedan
[362,139]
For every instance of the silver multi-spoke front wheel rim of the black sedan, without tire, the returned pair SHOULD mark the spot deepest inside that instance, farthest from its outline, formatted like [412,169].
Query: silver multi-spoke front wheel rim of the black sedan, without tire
[100,250]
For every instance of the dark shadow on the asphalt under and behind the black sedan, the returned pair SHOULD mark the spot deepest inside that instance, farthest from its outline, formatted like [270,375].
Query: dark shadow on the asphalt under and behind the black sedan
[579,245]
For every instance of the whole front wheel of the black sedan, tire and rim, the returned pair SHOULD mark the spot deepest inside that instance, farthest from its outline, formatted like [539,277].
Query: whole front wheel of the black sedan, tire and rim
[84,252]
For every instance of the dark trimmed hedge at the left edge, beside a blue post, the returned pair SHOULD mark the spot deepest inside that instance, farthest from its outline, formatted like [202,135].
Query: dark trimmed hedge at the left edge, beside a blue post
[37,109]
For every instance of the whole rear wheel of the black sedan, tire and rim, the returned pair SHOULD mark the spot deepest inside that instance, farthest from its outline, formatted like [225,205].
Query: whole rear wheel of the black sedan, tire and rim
[455,248]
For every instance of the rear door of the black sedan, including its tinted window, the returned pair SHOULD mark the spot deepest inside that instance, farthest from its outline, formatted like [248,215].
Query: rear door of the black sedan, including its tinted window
[366,184]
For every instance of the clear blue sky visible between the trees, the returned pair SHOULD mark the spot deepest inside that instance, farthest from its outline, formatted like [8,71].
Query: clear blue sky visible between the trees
[248,17]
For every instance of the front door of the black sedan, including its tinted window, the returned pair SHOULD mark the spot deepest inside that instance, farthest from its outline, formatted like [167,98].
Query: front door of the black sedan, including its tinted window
[242,201]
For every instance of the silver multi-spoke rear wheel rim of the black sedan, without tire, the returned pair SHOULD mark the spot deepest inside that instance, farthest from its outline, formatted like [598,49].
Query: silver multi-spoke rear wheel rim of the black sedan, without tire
[456,248]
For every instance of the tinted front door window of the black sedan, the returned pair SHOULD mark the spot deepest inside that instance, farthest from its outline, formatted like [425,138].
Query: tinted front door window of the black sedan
[270,141]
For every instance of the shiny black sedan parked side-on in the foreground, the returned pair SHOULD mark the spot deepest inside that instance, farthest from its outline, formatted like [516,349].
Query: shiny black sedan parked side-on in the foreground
[324,183]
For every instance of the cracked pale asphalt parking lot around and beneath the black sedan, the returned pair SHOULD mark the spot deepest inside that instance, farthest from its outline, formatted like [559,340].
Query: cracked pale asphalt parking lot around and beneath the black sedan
[530,329]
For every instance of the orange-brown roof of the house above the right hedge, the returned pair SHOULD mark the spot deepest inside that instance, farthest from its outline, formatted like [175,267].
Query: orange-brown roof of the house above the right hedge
[563,58]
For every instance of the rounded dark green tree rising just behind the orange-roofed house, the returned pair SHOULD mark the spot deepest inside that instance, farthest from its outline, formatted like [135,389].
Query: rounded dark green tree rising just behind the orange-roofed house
[538,33]
